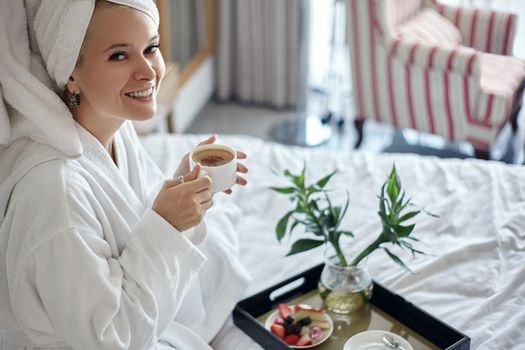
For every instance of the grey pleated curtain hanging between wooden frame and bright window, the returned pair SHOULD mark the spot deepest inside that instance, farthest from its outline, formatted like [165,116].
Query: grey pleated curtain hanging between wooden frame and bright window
[261,52]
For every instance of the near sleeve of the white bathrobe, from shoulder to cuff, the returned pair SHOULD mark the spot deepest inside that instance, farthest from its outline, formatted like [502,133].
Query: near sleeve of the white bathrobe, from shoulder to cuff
[75,278]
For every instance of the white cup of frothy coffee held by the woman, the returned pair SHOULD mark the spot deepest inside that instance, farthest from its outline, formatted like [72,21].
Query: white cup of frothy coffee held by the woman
[219,162]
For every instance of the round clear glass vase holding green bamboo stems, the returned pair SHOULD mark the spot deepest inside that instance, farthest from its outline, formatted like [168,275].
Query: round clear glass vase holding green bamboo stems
[344,289]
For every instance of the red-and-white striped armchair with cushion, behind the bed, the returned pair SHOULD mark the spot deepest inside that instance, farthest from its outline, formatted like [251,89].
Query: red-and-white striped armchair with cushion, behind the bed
[422,65]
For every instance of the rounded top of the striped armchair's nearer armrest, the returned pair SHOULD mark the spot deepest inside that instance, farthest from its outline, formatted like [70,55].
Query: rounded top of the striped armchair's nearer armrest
[461,59]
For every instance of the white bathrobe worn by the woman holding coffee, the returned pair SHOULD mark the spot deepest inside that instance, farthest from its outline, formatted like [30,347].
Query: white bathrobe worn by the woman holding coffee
[85,263]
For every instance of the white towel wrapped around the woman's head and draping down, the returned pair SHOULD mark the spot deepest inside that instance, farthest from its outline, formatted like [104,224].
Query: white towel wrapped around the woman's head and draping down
[39,45]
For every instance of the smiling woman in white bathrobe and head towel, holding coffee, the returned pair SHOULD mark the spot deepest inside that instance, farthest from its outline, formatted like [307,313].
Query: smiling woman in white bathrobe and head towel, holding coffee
[97,250]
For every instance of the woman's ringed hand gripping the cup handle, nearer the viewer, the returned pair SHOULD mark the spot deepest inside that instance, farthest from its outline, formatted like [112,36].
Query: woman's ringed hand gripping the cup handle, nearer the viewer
[183,204]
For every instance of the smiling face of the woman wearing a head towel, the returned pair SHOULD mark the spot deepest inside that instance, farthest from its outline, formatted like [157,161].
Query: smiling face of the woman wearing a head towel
[120,68]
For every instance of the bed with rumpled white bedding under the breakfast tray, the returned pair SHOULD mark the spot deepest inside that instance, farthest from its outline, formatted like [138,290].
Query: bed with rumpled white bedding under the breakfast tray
[475,279]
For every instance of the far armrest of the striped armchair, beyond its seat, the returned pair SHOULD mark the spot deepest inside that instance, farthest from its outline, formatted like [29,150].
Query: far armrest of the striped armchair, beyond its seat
[485,30]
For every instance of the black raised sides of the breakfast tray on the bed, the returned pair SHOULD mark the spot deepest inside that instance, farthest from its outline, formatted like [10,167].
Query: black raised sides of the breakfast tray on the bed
[434,331]
